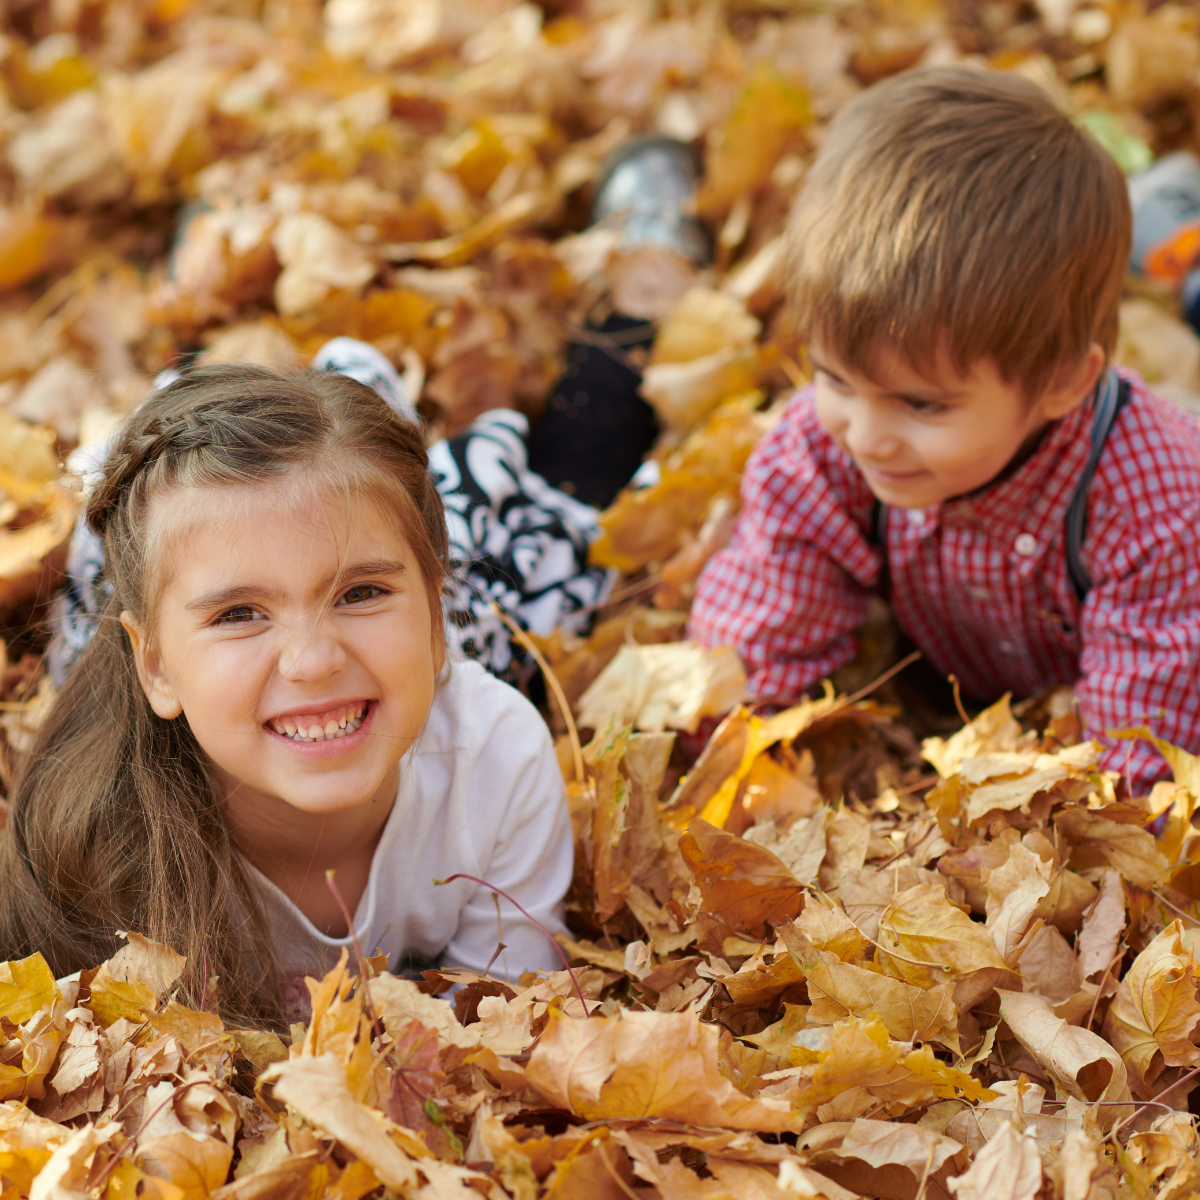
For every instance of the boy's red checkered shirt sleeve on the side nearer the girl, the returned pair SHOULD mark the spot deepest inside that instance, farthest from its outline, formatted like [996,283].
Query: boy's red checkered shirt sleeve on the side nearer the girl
[791,589]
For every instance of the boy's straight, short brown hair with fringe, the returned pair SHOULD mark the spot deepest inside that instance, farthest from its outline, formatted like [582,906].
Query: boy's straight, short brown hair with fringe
[959,211]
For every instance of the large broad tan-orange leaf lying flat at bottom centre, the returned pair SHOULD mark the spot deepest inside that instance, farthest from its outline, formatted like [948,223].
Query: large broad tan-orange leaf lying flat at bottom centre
[635,1066]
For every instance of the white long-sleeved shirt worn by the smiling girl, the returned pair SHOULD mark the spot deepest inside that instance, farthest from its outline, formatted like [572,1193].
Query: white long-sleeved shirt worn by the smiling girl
[481,793]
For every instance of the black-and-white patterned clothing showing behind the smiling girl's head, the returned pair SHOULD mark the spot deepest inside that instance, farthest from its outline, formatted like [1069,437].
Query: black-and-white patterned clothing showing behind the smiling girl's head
[514,539]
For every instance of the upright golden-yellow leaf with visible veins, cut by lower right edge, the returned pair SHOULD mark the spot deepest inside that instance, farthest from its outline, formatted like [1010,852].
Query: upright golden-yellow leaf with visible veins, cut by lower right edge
[1155,1012]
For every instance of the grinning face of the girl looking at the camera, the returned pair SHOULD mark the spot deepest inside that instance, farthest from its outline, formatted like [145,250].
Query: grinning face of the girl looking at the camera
[297,643]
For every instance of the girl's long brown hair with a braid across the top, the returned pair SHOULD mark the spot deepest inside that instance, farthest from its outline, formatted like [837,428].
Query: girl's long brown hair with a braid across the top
[116,823]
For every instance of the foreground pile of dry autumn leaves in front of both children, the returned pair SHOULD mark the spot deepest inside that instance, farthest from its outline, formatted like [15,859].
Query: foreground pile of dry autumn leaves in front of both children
[974,995]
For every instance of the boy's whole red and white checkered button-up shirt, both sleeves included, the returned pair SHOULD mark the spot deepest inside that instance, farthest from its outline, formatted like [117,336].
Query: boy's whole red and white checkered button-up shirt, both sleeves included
[980,583]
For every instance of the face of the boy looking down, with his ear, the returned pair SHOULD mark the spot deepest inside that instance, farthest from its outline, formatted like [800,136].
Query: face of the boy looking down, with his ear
[923,439]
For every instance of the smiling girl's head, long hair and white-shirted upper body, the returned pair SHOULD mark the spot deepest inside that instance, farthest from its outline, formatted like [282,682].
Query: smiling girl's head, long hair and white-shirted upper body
[267,699]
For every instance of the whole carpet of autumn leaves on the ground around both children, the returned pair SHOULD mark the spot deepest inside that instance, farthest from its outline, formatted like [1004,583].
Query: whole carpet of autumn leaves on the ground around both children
[821,961]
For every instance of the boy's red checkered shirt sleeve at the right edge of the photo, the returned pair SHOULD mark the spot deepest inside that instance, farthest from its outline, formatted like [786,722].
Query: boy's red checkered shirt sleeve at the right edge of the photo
[1141,662]
